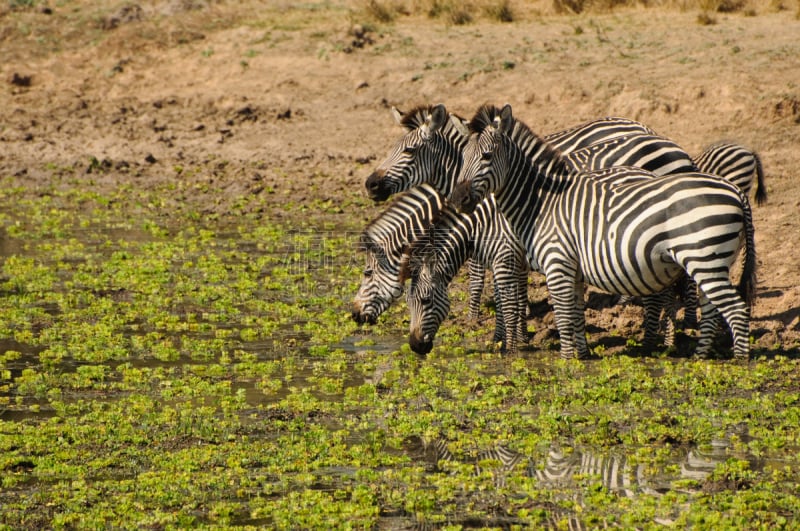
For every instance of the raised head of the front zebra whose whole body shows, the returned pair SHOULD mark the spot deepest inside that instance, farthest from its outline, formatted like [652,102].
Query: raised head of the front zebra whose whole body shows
[484,167]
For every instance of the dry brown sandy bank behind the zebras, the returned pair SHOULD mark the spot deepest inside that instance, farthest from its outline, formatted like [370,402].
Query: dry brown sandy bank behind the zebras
[290,103]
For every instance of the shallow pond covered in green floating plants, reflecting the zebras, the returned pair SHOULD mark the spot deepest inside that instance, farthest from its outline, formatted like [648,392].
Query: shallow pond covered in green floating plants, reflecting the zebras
[158,371]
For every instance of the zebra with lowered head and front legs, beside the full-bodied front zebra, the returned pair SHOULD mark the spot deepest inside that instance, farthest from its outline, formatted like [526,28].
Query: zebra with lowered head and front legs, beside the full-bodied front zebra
[432,262]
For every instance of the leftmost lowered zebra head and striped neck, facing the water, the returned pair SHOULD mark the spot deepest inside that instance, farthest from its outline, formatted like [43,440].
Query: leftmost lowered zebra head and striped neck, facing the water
[383,242]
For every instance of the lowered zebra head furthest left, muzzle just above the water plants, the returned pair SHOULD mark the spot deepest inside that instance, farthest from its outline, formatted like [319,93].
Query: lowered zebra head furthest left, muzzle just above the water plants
[380,286]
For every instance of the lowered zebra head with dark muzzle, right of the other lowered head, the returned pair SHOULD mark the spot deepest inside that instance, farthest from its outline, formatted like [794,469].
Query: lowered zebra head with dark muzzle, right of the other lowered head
[427,297]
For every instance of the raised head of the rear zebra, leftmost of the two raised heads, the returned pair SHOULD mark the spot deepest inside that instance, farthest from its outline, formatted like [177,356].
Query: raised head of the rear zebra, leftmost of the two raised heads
[429,151]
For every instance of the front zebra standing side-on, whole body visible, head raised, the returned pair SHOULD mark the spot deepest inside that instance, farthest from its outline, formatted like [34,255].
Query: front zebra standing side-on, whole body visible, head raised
[632,238]
